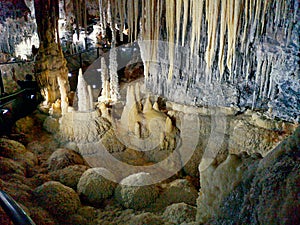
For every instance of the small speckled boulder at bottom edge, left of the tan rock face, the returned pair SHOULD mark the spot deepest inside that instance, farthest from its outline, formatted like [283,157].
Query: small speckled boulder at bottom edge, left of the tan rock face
[180,213]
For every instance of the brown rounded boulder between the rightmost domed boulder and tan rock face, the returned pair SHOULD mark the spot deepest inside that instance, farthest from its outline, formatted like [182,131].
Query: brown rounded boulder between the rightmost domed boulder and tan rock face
[177,191]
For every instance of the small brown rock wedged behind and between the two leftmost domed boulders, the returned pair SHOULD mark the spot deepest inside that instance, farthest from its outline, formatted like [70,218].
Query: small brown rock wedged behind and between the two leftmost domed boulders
[70,175]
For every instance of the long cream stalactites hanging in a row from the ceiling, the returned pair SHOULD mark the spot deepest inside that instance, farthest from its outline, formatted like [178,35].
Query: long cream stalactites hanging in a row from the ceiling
[226,23]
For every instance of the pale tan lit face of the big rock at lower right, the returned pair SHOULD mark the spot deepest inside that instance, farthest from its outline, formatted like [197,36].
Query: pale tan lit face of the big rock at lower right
[217,181]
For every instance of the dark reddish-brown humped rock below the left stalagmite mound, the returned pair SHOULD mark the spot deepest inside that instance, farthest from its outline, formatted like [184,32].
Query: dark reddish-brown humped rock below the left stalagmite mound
[62,158]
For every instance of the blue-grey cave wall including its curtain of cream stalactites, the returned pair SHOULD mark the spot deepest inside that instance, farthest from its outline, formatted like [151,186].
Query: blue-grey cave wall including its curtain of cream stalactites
[226,53]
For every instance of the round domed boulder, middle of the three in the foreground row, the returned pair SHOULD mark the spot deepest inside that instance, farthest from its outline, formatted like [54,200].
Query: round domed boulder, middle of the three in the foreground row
[94,187]
